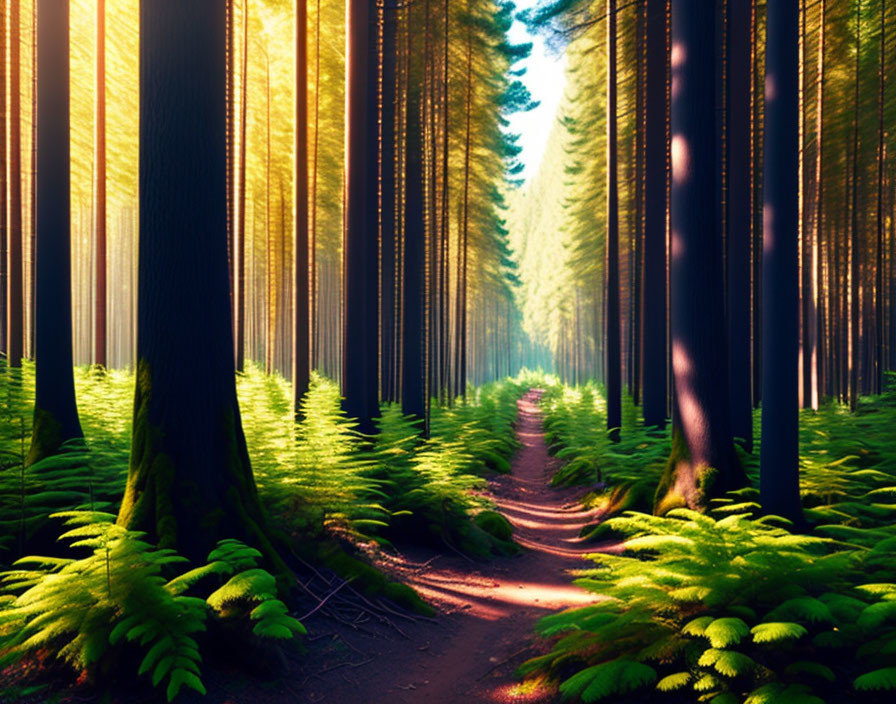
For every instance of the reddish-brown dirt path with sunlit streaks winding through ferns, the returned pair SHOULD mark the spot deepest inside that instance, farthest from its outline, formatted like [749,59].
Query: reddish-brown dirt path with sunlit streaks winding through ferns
[487,611]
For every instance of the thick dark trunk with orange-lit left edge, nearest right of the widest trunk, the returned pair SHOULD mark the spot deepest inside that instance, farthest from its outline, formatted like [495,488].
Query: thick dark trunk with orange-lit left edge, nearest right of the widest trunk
[360,324]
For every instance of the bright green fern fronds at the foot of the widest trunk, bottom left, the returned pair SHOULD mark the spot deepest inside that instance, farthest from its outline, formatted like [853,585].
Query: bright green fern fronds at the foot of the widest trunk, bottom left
[81,608]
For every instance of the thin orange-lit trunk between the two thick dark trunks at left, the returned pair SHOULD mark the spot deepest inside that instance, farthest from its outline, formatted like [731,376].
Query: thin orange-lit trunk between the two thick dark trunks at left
[99,353]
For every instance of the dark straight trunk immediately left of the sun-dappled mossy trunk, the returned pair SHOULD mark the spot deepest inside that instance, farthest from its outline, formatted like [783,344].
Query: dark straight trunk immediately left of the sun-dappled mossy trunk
[653,334]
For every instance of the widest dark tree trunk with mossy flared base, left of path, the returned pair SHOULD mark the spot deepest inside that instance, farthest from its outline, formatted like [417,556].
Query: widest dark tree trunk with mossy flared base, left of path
[190,482]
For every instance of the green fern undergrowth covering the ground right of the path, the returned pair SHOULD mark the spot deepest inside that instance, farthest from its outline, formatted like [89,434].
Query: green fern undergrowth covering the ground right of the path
[730,607]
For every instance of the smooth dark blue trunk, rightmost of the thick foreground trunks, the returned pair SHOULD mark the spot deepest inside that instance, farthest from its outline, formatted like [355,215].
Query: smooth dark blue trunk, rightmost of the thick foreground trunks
[779,454]
